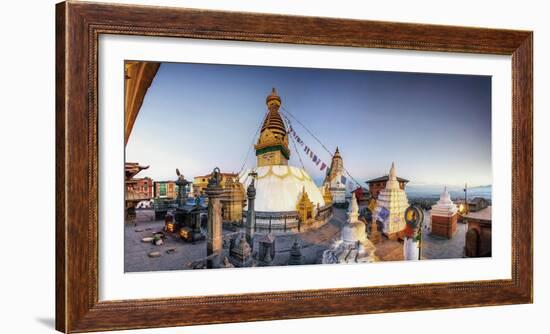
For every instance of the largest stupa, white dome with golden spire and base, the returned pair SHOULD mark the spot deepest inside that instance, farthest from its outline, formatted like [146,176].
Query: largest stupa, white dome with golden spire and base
[287,199]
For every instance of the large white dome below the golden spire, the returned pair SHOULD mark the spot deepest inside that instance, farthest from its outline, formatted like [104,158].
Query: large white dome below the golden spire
[279,187]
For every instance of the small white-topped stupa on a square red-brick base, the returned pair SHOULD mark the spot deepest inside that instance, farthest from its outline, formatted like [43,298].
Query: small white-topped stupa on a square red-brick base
[444,215]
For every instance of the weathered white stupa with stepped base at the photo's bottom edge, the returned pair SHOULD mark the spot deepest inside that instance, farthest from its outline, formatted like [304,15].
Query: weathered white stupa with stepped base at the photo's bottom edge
[353,246]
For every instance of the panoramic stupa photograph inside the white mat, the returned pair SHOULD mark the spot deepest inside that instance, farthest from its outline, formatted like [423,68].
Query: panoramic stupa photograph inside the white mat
[237,166]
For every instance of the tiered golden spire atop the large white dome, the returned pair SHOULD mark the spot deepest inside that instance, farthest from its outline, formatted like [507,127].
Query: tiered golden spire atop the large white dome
[272,147]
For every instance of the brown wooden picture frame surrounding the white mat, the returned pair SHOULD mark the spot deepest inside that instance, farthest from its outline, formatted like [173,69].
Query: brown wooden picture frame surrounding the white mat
[78,26]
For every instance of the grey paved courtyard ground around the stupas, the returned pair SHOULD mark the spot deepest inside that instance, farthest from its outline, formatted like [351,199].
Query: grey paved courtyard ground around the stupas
[175,254]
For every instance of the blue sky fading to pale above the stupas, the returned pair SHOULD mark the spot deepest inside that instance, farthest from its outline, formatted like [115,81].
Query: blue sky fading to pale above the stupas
[436,127]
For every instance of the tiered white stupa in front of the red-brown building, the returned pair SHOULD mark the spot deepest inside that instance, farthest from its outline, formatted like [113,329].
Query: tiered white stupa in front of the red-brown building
[391,205]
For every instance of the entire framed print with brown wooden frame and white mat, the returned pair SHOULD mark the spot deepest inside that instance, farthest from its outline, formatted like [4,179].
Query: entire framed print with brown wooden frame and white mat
[222,166]
